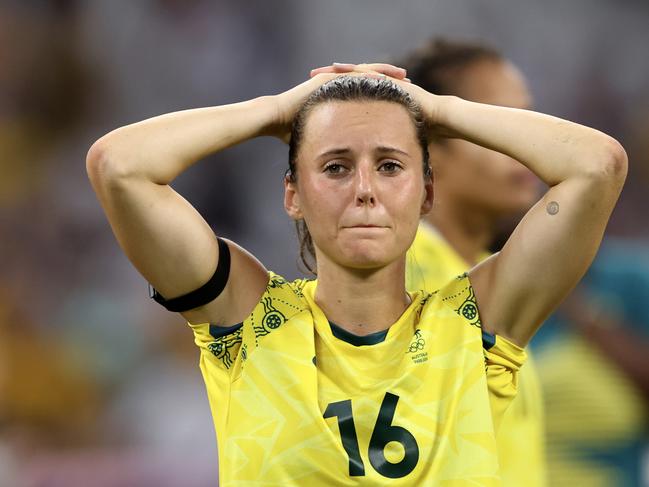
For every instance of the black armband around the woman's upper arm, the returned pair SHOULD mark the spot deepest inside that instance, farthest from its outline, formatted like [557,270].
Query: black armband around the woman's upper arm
[204,294]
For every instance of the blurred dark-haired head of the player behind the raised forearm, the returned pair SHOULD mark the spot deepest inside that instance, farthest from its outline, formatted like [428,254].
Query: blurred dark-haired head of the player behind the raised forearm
[469,174]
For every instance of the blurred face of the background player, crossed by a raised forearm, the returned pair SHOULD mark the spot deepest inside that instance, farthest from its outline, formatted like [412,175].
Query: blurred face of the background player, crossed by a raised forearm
[474,176]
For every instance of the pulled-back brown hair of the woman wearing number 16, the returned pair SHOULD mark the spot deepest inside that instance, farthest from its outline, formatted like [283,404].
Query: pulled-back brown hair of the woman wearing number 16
[348,88]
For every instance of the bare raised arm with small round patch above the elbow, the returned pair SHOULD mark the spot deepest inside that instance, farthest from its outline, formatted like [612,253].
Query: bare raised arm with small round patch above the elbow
[556,241]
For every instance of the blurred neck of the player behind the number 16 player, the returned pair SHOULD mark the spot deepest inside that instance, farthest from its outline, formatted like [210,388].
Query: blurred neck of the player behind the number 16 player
[468,230]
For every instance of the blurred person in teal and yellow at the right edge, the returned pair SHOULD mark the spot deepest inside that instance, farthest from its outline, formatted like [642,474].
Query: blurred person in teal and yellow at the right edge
[593,357]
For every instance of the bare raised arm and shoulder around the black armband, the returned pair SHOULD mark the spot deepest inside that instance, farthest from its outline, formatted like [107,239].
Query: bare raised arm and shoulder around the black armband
[165,238]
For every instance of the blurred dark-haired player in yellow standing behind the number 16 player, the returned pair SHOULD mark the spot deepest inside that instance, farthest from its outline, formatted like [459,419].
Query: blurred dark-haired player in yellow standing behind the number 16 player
[475,190]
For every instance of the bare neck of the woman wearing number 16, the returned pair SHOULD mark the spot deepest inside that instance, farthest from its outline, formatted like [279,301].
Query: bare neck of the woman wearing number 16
[362,301]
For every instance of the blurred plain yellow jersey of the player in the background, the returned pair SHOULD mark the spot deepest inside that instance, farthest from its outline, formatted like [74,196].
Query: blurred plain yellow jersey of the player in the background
[431,262]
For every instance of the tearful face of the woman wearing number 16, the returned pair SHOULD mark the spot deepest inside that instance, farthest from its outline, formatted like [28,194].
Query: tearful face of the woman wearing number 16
[360,186]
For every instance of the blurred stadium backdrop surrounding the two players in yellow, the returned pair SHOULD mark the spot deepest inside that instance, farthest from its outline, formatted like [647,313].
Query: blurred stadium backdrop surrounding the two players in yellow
[99,385]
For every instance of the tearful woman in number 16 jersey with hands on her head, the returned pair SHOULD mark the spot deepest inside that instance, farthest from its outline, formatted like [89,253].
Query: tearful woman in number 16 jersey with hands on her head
[351,380]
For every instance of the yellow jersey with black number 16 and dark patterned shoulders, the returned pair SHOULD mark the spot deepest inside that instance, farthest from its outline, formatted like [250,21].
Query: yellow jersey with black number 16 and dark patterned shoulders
[297,400]
